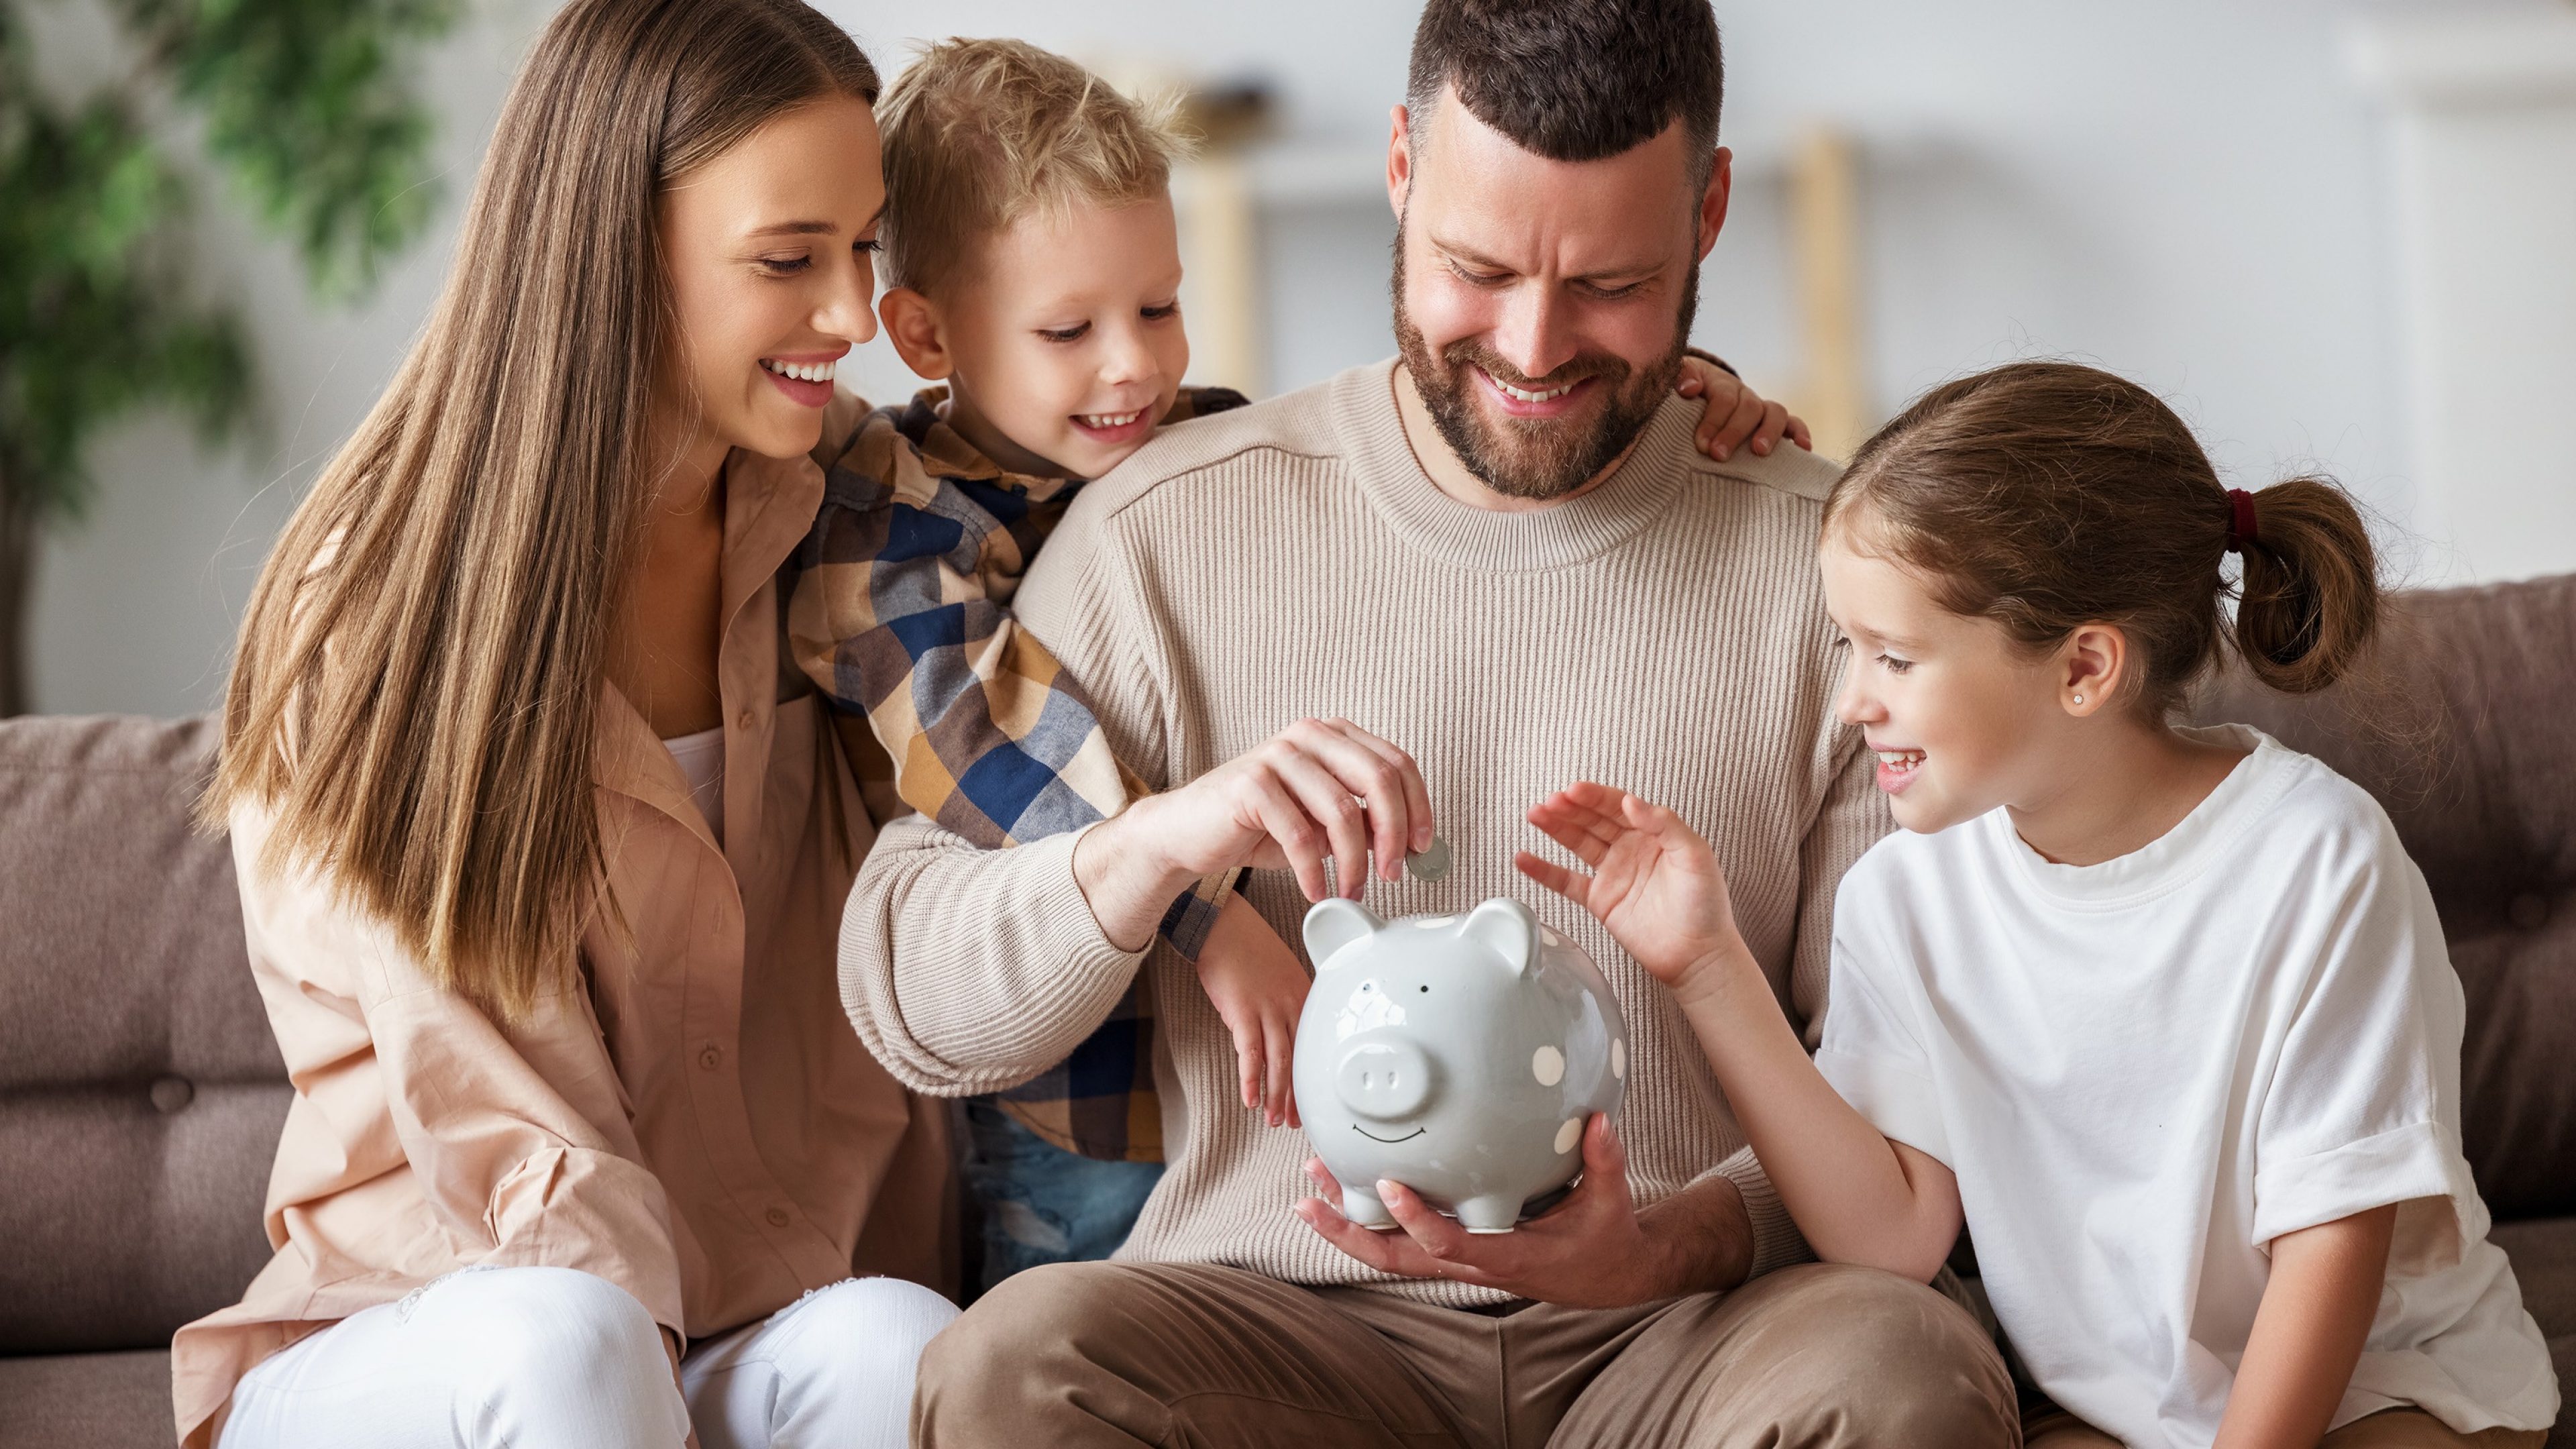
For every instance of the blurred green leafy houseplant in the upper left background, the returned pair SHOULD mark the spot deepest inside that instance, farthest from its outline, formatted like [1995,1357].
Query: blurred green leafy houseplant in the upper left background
[305,107]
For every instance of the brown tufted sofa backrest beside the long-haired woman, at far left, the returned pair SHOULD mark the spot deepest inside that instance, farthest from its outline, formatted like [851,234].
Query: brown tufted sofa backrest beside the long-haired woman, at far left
[140,1089]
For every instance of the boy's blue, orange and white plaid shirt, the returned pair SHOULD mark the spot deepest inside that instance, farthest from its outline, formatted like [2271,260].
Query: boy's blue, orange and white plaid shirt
[900,612]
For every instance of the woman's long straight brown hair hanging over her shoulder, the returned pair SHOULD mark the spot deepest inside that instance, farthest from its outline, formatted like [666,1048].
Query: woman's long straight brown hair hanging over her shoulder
[421,666]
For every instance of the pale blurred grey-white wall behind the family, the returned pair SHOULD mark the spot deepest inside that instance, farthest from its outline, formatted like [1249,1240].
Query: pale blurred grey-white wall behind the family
[2214,197]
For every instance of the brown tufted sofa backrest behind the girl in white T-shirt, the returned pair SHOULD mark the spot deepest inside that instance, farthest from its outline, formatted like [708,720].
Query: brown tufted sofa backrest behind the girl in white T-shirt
[2464,736]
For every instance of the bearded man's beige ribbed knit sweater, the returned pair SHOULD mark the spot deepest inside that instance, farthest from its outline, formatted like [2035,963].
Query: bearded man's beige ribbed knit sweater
[1663,633]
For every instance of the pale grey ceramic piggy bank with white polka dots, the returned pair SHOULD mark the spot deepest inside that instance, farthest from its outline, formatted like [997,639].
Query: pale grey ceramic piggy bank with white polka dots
[1457,1056]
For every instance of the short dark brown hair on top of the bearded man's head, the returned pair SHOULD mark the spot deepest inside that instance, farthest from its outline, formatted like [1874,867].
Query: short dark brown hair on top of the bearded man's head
[1575,81]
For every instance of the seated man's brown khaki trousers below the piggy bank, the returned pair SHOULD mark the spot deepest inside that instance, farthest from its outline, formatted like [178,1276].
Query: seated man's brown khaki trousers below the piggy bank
[1081,1355]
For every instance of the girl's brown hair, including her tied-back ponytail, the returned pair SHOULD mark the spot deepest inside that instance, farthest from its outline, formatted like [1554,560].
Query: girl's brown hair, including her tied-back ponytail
[2049,496]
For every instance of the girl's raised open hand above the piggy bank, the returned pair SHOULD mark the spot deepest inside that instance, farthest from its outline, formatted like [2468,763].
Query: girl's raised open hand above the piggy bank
[1655,883]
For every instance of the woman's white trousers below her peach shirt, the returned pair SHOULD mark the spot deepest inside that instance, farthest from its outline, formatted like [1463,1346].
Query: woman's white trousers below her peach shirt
[563,1360]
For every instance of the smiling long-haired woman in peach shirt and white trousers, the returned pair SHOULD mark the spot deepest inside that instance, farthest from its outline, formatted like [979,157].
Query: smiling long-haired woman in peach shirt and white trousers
[555,1002]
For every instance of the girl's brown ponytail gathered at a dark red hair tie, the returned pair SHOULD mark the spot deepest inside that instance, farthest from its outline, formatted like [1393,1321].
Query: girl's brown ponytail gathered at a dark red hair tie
[2309,602]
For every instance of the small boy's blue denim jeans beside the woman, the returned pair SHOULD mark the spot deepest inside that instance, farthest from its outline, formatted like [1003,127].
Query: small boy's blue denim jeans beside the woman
[1039,1203]
